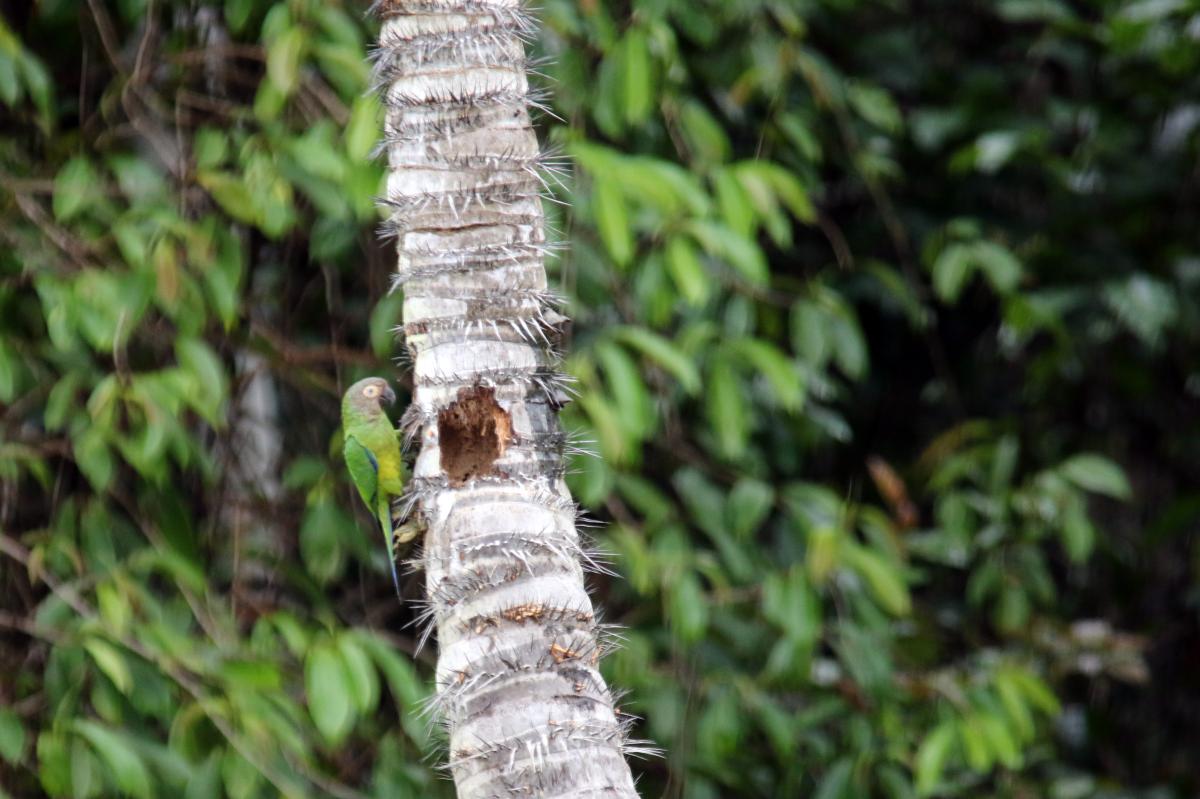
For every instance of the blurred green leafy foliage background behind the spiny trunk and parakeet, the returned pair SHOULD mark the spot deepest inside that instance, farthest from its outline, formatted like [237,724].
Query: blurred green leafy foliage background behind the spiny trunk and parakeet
[887,319]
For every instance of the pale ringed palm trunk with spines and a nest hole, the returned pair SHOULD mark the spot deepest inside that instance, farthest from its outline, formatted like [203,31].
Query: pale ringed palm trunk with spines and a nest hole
[527,711]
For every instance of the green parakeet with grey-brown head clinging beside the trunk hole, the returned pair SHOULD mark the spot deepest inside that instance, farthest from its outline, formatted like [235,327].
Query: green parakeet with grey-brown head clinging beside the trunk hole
[373,455]
